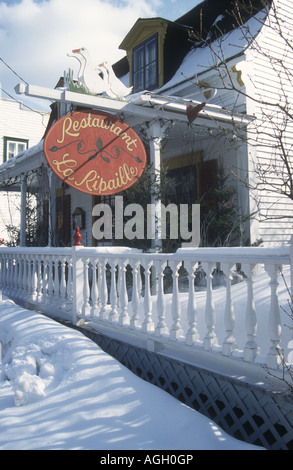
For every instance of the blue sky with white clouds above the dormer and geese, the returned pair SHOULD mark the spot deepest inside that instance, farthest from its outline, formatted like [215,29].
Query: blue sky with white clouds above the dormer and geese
[36,35]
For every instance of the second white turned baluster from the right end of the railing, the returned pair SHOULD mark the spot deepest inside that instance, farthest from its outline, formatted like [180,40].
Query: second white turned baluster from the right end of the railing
[251,349]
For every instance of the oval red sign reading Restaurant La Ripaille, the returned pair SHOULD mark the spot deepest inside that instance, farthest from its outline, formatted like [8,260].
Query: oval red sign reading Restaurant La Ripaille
[95,152]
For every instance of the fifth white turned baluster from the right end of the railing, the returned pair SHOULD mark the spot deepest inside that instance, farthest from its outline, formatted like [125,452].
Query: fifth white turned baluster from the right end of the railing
[192,333]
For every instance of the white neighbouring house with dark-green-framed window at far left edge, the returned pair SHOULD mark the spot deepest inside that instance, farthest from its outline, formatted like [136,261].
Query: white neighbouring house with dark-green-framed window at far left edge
[20,128]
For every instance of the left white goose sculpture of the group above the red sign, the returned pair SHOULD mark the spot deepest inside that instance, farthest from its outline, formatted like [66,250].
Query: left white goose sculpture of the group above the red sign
[88,76]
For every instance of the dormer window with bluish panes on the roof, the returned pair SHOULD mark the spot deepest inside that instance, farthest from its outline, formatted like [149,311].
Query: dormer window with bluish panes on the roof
[145,65]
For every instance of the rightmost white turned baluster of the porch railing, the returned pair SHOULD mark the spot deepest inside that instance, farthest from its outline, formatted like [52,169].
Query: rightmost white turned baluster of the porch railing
[275,355]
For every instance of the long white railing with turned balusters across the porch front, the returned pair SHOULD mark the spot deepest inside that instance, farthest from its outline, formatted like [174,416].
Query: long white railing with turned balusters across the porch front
[151,296]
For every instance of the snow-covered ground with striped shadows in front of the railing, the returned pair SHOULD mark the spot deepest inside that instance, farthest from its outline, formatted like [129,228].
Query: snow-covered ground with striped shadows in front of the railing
[59,390]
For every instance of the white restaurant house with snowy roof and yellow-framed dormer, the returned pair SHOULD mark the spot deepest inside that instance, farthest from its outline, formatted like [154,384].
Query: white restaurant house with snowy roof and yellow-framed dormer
[203,106]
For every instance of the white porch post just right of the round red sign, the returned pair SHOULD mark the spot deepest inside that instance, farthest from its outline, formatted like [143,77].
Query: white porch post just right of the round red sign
[155,133]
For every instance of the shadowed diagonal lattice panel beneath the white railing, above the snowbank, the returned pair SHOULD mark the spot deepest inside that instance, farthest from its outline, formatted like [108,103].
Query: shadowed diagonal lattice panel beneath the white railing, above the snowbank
[255,416]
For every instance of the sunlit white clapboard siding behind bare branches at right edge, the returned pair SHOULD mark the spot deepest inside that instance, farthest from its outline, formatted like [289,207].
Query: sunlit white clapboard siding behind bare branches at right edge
[272,85]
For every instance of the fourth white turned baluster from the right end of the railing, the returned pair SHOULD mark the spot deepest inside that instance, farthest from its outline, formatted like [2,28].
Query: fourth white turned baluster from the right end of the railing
[210,339]
